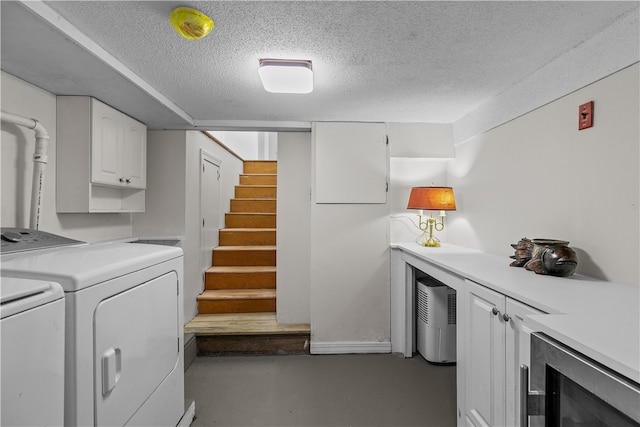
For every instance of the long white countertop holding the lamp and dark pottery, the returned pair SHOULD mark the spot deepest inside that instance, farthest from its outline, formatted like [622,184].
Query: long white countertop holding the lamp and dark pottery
[597,318]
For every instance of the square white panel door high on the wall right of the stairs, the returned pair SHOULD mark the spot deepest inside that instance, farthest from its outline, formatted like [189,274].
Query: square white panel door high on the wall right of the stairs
[350,162]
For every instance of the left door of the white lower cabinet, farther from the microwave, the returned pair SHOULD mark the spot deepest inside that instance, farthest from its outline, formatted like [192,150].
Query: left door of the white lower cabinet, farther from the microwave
[485,353]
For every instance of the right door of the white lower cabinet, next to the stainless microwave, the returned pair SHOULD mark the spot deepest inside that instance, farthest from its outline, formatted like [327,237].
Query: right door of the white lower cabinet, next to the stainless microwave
[518,345]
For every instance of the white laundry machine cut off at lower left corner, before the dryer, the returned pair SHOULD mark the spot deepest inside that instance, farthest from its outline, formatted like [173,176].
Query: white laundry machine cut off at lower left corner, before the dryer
[32,353]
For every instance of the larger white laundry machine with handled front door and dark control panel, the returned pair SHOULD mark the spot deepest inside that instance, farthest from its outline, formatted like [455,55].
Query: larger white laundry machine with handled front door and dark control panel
[124,319]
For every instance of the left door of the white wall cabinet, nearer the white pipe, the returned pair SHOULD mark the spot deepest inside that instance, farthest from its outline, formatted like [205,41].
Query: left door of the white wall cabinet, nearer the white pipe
[106,144]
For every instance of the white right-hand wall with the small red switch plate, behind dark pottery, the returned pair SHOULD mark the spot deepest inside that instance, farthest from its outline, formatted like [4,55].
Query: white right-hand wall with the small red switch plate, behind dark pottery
[538,176]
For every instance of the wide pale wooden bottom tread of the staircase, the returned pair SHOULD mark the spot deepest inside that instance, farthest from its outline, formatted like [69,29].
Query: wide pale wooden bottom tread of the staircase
[243,324]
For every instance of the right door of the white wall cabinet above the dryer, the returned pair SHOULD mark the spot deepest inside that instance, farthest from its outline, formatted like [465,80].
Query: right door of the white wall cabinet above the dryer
[134,151]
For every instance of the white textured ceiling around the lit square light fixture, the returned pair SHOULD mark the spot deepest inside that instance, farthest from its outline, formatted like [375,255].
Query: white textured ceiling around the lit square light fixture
[424,61]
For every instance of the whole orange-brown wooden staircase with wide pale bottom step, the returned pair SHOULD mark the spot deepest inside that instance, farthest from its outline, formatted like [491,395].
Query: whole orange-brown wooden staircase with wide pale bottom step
[237,308]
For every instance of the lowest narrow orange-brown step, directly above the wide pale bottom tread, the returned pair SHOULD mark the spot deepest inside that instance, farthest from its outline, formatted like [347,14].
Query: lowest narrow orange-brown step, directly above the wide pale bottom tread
[237,301]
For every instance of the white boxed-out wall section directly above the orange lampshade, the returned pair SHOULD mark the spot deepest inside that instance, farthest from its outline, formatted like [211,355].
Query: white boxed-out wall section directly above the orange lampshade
[422,140]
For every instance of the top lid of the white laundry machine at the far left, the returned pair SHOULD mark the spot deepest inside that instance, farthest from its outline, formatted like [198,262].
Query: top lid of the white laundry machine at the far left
[18,295]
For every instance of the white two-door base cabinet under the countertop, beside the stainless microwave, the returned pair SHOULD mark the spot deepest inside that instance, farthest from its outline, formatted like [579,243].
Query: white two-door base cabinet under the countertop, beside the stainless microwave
[497,342]
